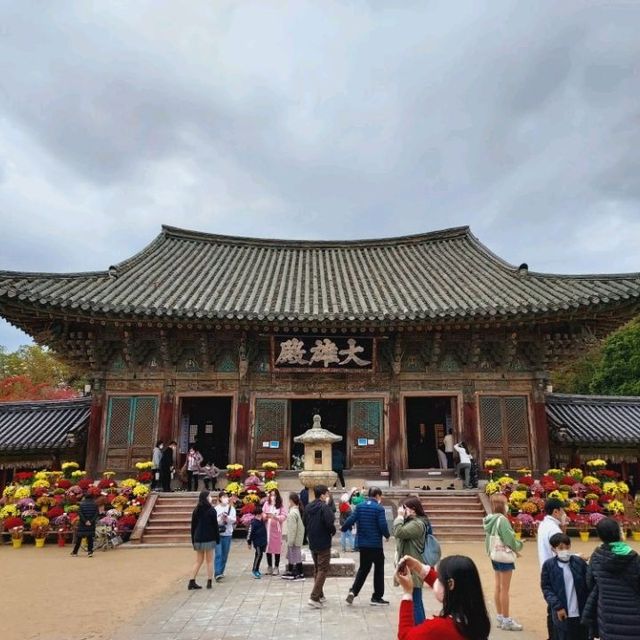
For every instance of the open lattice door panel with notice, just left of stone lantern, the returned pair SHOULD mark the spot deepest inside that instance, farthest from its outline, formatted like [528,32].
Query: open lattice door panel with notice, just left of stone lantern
[270,431]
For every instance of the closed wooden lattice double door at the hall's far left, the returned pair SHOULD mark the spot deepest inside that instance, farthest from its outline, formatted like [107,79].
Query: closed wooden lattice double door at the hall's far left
[132,424]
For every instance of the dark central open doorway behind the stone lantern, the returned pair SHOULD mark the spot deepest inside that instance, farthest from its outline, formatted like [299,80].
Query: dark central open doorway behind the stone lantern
[334,414]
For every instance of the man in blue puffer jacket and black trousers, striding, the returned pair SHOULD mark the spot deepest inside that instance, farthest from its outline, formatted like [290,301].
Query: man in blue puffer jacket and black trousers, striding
[372,527]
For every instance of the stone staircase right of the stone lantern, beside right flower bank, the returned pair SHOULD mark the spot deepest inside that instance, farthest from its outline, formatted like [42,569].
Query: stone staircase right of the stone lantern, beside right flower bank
[456,516]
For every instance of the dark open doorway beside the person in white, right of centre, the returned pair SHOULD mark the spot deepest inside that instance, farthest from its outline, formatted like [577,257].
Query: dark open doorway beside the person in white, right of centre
[427,420]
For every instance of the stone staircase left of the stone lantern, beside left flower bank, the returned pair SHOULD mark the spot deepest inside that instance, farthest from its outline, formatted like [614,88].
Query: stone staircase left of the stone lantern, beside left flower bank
[169,521]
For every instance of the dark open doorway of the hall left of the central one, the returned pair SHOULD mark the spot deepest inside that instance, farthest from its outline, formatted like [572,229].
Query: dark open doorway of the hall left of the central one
[208,420]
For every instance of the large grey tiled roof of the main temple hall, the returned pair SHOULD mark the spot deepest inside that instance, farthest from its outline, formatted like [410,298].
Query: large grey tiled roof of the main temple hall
[431,277]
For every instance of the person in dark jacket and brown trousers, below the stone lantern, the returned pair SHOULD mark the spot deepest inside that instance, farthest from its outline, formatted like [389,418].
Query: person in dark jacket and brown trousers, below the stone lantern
[319,522]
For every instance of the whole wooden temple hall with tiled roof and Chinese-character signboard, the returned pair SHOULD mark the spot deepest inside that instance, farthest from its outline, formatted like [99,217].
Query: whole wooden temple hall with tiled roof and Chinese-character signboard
[235,343]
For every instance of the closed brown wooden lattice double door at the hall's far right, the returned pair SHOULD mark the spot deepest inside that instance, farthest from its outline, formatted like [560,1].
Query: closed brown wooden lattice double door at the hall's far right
[504,427]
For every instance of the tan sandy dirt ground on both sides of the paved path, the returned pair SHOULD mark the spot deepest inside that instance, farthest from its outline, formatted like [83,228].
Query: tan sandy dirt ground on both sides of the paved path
[48,595]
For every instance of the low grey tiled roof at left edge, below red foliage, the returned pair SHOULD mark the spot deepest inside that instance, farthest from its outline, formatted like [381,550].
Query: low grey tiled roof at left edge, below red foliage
[42,425]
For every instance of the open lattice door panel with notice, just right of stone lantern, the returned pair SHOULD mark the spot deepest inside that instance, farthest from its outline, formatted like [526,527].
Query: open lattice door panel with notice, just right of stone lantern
[365,434]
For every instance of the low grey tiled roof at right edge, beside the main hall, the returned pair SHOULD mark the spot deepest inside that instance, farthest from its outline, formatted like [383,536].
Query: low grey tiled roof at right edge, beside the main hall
[607,420]
